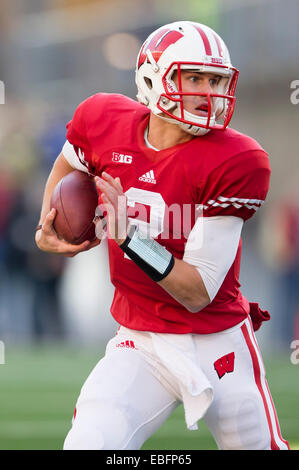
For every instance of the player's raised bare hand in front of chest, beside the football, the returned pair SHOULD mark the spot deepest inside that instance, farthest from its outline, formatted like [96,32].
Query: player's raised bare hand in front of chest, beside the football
[115,203]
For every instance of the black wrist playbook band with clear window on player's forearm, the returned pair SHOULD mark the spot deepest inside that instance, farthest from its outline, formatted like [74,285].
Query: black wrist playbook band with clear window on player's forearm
[149,255]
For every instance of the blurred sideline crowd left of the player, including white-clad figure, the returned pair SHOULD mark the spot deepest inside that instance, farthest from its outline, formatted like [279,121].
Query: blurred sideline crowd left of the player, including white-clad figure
[43,297]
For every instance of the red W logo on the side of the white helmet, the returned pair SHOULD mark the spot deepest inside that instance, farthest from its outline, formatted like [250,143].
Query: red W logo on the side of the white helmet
[158,44]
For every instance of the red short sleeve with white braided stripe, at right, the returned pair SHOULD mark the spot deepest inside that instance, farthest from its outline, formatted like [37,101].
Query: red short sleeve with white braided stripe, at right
[238,187]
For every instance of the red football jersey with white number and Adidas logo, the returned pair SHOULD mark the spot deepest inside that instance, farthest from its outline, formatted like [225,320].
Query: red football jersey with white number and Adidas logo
[224,172]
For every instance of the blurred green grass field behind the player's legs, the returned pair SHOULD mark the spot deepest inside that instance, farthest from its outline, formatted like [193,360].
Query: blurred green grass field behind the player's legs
[39,388]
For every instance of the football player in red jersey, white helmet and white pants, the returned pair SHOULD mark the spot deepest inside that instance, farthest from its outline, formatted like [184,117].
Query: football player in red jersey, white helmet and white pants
[189,183]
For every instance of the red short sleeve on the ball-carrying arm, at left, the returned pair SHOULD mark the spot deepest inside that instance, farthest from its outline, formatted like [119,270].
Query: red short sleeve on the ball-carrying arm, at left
[77,135]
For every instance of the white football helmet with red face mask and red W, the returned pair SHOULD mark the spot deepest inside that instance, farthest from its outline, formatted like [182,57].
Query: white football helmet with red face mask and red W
[185,45]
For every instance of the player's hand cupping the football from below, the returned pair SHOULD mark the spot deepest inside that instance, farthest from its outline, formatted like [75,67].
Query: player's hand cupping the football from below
[47,240]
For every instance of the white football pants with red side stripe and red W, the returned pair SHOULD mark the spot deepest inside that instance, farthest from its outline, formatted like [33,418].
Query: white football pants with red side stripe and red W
[130,394]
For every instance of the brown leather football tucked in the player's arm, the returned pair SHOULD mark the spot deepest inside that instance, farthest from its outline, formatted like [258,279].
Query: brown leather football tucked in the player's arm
[75,199]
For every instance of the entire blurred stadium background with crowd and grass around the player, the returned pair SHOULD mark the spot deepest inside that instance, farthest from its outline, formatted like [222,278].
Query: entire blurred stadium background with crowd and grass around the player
[54,313]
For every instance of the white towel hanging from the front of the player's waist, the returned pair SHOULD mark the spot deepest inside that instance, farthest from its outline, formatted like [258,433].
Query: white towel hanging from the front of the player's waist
[178,354]
